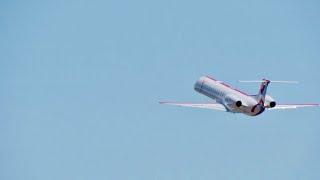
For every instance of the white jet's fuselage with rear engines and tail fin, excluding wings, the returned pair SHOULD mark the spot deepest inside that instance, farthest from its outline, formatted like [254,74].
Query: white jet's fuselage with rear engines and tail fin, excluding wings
[232,99]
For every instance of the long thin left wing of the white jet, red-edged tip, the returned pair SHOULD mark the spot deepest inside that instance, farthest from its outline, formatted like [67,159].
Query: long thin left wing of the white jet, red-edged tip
[209,105]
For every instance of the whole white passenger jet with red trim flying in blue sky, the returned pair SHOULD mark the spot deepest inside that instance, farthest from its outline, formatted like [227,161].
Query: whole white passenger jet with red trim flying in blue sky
[232,100]
